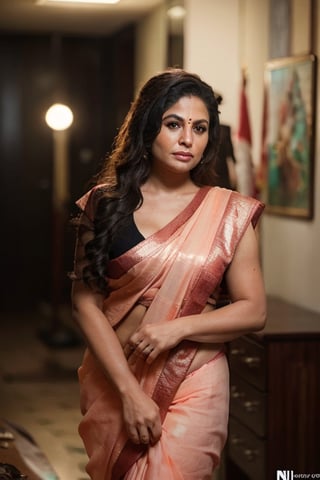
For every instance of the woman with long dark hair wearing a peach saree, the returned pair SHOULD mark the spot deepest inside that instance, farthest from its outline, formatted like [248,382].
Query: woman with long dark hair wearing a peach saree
[155,243]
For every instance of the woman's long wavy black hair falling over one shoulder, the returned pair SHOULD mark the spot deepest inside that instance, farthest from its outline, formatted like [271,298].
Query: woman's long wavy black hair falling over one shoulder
[128,166]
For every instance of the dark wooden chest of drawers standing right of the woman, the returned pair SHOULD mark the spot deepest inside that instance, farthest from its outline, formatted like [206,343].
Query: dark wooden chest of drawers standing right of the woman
[275,397]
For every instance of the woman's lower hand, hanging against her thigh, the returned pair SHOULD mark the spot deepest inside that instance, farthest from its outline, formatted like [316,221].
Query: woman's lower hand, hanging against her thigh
[141,417]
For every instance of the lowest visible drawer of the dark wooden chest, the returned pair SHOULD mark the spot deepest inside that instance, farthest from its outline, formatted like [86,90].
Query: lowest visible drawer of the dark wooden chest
[247,451]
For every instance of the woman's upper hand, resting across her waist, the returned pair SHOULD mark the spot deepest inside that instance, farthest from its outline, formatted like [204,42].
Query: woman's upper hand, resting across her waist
[150,340]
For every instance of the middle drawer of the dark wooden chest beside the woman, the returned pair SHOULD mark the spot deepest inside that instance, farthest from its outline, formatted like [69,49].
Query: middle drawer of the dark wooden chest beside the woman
[248,404]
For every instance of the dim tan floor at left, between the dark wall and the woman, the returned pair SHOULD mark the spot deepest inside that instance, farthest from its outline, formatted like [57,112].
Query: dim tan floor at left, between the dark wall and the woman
[39,392]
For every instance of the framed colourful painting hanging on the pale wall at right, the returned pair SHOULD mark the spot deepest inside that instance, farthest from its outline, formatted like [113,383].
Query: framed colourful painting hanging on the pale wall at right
[290,88]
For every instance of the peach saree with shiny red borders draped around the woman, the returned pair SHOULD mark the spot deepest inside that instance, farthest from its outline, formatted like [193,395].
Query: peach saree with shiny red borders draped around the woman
[174,271]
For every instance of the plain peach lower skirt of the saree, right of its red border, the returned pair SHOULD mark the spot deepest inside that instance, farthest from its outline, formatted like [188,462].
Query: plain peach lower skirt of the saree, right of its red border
[192,439]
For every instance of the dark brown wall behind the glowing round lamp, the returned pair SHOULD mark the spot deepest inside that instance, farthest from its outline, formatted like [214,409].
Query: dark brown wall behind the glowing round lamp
[95,77]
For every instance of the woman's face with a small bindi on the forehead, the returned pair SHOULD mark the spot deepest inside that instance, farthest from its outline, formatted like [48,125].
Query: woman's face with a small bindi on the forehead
[183,136]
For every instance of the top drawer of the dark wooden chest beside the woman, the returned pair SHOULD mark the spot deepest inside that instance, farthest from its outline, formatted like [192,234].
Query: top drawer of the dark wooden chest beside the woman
[248,359]
